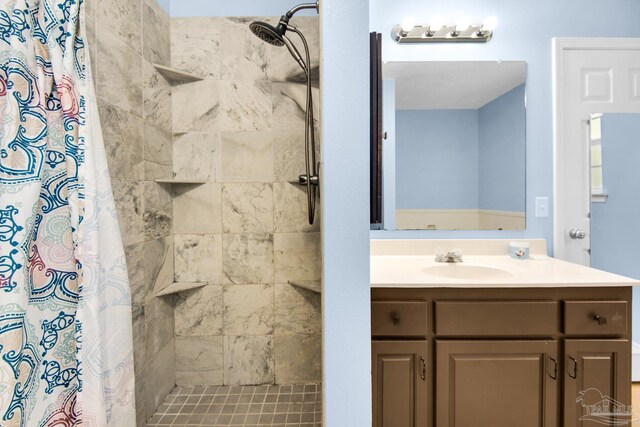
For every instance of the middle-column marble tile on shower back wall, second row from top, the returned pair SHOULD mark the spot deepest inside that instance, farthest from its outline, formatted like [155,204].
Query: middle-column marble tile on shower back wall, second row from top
[246,105]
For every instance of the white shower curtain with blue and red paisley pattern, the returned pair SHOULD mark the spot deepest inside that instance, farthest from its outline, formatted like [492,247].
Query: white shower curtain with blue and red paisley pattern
[65,317]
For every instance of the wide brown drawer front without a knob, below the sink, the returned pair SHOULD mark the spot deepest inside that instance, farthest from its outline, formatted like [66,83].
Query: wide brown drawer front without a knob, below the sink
[497,318]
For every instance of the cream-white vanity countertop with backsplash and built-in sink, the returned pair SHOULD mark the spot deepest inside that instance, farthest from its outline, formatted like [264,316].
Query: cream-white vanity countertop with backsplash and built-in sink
[405,270]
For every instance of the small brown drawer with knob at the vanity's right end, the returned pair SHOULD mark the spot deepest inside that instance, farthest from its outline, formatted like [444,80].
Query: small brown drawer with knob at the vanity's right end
[595,317]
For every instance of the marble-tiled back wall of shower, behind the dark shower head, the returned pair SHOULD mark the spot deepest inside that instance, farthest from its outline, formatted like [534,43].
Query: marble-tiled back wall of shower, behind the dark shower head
[245,232]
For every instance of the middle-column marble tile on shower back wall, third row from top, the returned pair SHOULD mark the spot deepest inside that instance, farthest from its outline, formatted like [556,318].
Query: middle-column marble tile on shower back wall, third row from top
[247,157]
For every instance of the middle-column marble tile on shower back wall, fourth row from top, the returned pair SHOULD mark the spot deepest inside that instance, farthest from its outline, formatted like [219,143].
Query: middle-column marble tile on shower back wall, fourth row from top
[247,208]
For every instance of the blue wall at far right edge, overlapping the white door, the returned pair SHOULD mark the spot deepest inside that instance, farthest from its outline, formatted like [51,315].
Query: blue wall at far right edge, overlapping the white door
[615,225]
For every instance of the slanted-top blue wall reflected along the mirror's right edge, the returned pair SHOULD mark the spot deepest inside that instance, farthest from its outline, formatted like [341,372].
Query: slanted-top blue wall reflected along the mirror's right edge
[501,150]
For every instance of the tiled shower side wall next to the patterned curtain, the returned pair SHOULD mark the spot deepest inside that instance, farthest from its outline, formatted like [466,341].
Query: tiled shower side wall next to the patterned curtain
[126,37]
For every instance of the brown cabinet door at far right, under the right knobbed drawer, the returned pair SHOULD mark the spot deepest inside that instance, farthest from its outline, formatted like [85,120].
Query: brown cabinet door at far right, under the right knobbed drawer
[597,382]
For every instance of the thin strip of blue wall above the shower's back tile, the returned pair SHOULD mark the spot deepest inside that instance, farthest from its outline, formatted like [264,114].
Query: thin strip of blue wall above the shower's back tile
[185,8]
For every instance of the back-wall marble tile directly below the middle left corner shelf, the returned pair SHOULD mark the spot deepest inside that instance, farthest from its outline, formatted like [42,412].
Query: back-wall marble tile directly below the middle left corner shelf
[197,209]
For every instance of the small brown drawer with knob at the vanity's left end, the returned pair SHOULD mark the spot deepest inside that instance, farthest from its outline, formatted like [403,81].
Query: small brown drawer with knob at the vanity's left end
[399,318]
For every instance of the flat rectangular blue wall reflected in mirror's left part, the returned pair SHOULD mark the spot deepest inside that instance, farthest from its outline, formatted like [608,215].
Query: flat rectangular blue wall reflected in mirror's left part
[437,159]
